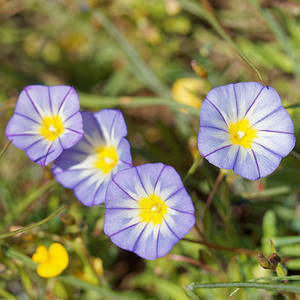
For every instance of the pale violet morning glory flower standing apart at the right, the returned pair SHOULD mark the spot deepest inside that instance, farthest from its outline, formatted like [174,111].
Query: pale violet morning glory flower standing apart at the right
[244,127]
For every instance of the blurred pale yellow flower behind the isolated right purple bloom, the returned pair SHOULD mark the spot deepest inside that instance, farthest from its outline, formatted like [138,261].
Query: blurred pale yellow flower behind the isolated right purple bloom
[189,91]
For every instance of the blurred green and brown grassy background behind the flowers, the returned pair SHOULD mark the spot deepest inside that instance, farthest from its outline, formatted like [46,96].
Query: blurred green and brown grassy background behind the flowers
[131,54]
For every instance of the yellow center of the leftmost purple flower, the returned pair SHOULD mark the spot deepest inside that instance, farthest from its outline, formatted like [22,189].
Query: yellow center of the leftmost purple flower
[52,127]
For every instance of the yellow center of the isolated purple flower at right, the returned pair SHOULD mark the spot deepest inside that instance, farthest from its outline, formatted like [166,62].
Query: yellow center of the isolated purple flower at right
[241,133]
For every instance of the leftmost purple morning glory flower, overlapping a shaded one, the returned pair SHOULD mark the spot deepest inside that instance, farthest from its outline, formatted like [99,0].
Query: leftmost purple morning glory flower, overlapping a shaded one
[45,122]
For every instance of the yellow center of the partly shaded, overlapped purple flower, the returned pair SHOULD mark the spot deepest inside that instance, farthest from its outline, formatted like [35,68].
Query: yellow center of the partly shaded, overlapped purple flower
[106,158]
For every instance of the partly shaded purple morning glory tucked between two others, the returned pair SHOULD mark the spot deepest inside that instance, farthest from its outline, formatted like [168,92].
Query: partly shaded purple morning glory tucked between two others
[88,167]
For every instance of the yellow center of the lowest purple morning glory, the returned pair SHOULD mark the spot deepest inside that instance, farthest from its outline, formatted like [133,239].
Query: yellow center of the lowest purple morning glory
[152,209]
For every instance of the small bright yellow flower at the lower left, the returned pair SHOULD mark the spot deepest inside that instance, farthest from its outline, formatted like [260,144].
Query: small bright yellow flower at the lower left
[52,262]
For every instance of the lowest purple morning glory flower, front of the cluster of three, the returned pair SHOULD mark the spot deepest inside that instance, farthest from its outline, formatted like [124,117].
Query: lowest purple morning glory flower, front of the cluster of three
[147,210]
